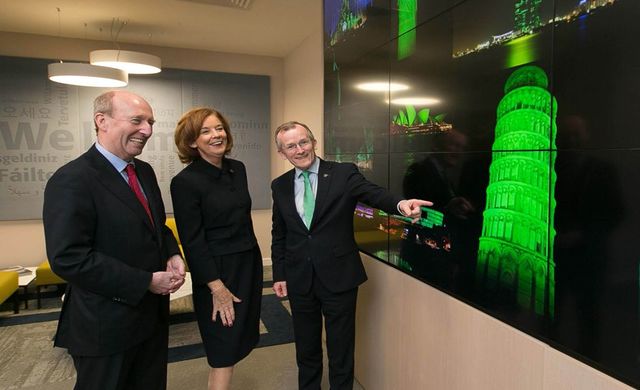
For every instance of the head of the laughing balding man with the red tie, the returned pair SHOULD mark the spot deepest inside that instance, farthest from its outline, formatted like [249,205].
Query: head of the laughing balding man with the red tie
[126,131]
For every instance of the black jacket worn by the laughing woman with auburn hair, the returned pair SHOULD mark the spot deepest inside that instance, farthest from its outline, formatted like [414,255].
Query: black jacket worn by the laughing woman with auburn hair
[212,208]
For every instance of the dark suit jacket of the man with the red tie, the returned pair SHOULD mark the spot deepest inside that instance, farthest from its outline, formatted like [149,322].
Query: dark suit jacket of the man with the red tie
[100,240]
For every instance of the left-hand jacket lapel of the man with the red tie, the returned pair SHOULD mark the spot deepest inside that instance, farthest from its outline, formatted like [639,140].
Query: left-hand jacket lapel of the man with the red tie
[113,182]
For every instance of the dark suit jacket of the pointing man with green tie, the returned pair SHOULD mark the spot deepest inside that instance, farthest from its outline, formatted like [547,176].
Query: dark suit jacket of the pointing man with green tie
[328,247]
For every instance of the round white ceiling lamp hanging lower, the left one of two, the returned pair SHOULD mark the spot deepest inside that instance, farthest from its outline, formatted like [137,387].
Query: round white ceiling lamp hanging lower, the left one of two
[87,75]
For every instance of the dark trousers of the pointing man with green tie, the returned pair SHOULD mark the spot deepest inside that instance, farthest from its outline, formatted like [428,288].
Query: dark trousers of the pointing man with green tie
[339,311]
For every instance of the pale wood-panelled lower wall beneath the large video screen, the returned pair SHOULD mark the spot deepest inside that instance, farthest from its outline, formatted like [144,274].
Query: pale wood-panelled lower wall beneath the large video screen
[412,336]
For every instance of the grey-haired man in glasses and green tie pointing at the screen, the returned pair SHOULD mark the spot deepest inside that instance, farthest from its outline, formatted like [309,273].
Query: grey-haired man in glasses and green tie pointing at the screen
[316,262]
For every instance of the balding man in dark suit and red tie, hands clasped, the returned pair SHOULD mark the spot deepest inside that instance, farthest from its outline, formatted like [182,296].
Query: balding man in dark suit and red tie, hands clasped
[106,236]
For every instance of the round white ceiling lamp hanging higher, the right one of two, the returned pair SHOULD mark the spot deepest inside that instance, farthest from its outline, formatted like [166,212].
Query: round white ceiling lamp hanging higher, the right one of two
[130,61]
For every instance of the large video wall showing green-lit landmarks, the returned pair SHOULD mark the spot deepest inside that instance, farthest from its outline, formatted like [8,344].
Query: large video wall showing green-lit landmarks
[520,120]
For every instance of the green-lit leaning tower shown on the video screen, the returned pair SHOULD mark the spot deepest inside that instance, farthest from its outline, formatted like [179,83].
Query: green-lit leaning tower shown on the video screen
[516,247]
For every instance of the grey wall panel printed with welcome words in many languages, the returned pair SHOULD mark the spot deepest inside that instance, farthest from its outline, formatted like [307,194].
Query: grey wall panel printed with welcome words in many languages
[44,125]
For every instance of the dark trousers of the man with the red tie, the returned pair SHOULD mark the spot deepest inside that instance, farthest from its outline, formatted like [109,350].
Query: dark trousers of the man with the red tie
[143,366]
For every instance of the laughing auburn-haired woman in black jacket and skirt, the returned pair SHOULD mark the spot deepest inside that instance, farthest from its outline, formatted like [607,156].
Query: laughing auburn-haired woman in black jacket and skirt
[212,208]
